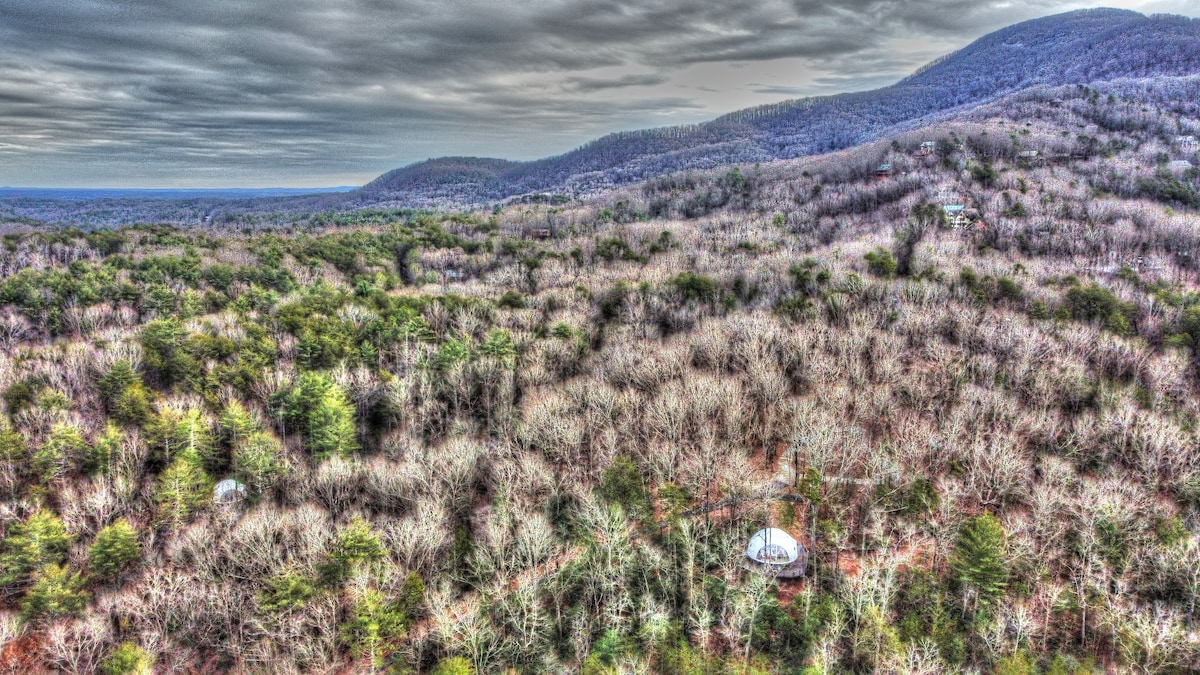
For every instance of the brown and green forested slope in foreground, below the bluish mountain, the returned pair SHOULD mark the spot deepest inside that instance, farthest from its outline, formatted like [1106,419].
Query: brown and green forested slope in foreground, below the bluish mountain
[539,439]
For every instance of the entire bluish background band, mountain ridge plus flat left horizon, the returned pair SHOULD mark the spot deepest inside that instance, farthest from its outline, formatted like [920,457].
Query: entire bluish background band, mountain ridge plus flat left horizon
[1083,47]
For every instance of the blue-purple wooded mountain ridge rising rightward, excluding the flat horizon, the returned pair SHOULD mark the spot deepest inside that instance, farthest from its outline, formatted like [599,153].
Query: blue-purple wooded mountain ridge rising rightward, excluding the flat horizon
[1082,47]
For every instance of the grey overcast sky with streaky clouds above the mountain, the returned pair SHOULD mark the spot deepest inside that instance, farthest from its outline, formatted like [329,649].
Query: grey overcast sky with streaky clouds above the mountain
[322,93]
